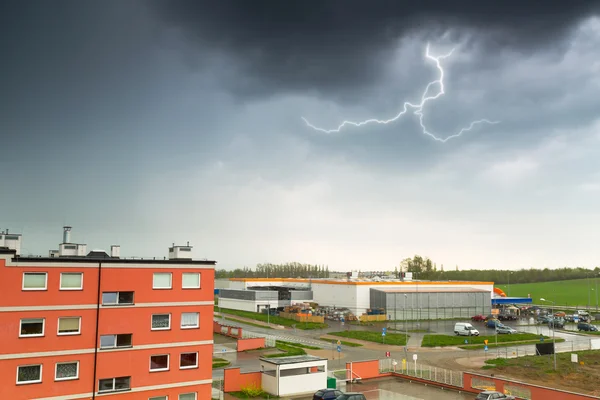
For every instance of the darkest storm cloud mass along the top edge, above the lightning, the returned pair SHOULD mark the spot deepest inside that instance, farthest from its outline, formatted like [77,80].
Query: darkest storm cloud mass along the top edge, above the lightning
[326,44]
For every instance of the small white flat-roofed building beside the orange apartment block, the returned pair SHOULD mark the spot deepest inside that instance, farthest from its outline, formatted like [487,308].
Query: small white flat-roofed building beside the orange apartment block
[289,376]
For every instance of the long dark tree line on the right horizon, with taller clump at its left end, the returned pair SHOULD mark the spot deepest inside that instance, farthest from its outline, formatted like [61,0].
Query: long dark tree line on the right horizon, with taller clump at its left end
[424,268]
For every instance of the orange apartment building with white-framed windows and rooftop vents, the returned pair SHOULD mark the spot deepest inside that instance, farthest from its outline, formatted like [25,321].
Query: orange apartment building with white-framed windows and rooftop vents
[75,326]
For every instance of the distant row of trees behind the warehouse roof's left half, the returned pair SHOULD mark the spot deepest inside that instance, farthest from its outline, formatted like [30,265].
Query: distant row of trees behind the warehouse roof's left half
[288,270]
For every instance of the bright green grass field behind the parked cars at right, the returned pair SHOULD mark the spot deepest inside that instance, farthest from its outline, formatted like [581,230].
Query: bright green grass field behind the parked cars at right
[571,293]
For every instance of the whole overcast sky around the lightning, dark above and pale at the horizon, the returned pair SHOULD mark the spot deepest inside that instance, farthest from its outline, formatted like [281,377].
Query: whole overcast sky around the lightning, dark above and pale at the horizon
[147,123]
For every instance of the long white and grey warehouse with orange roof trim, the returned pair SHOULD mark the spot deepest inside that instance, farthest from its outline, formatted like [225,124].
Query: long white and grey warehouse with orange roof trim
[401,299]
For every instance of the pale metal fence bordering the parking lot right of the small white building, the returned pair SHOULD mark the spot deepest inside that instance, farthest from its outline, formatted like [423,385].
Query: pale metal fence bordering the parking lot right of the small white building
[422,371]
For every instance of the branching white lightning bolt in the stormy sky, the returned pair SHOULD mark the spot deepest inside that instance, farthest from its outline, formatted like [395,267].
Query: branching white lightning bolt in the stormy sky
[417,108]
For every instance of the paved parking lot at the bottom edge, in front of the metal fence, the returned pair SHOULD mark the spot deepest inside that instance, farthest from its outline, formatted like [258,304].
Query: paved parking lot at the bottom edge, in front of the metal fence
[398,389]
